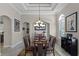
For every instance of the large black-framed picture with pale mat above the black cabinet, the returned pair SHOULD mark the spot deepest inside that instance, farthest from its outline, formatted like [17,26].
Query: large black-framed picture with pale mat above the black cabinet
[71,22]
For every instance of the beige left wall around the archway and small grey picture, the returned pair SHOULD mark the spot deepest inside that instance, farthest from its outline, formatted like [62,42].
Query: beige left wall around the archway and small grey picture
[7,10]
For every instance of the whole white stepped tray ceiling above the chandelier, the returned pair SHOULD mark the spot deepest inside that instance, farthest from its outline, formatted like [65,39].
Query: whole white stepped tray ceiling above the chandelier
[33,8]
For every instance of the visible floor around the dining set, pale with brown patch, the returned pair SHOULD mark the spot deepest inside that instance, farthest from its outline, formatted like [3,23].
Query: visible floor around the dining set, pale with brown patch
[8,51]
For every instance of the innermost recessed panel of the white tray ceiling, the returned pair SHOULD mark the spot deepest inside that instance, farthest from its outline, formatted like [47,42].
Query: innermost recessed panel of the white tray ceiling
[43,6]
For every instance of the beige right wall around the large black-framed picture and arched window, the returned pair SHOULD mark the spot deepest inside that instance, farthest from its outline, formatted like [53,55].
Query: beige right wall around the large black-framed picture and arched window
[69,9]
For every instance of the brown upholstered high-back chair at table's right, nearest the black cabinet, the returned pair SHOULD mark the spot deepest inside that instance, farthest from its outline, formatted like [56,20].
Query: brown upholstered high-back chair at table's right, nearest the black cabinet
[51,46]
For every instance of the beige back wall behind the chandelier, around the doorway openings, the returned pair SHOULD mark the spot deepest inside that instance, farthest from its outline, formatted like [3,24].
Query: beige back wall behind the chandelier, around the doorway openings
[46,18]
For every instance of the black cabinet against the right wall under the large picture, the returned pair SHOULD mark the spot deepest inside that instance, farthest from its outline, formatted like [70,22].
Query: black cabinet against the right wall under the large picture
[70,45]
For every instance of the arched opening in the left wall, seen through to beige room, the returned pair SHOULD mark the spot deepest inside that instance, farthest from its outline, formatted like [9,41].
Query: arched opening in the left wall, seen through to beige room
[6,31]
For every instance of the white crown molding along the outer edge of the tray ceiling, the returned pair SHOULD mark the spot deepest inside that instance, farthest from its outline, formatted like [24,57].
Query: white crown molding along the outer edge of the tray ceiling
[56,10]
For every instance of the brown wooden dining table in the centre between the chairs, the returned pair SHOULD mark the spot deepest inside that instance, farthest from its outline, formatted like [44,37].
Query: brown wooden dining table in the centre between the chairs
[39,45]
